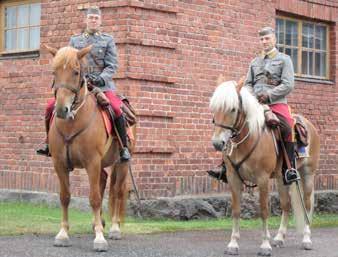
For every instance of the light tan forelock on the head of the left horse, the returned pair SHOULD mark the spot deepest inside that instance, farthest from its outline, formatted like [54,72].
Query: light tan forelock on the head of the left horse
[66,58]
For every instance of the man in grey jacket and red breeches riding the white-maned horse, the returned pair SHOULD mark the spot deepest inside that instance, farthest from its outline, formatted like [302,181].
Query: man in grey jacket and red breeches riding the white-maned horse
[271,78]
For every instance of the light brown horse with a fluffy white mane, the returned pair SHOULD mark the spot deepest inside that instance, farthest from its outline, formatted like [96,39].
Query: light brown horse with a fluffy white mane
[239,122]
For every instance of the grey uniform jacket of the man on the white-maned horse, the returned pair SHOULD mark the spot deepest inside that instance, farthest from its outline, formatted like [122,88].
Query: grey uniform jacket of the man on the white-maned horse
[273,74]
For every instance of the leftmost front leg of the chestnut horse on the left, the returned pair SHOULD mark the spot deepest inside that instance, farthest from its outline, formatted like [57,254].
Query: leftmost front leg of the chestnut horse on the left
[62,238]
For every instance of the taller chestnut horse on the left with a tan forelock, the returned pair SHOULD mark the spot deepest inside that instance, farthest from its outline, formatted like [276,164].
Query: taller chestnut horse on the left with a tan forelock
[78,138]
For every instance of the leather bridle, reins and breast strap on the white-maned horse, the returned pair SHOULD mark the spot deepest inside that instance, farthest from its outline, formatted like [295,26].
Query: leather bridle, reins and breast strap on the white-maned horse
[237,129]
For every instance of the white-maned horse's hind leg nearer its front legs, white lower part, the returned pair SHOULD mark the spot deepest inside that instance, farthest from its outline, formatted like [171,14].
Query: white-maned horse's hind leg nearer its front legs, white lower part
[278,240]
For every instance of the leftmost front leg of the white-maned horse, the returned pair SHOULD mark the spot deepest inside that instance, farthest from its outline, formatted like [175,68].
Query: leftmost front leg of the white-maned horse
[236,193]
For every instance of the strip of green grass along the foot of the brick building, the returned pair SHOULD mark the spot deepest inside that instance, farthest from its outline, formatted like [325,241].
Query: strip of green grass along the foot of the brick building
[23,218]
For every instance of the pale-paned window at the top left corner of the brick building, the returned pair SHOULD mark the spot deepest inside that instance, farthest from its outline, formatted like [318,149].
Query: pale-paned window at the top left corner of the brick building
[20,26]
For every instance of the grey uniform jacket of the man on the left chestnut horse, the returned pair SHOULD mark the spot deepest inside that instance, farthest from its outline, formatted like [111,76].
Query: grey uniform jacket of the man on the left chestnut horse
[102,59]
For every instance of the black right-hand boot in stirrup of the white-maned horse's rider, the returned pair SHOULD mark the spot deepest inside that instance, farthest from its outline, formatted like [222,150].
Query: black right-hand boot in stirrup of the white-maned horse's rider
[290,175]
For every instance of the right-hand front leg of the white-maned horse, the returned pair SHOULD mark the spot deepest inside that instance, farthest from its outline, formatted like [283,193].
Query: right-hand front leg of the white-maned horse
[265,248]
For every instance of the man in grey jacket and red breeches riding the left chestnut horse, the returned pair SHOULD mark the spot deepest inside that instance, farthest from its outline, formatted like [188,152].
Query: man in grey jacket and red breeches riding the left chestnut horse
[101,66]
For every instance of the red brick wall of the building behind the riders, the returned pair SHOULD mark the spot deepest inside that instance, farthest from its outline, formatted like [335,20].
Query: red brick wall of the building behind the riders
[170,54]
